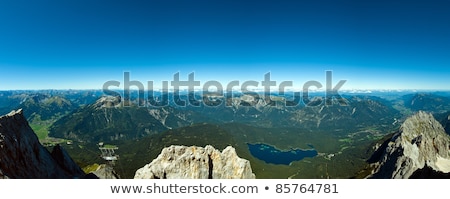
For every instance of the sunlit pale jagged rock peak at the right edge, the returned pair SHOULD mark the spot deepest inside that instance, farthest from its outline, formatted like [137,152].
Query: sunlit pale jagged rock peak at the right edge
[420,149]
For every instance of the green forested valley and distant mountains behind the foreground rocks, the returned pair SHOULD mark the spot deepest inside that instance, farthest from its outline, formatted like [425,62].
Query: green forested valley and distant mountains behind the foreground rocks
[344,137]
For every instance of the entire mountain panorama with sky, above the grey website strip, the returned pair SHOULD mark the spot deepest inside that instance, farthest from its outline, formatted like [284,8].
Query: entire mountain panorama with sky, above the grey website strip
[323,89]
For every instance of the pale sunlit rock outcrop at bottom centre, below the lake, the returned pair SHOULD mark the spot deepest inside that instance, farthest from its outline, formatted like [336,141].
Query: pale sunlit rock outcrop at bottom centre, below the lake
[181,162]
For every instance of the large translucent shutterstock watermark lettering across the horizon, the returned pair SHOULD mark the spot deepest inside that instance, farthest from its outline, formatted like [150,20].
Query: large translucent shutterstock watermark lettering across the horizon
[192,92]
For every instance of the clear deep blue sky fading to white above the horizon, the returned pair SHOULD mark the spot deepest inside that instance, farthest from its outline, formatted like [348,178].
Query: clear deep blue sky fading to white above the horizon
[82,44]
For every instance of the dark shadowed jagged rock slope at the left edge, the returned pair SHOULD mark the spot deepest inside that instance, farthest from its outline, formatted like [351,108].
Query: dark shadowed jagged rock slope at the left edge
[22,156]
